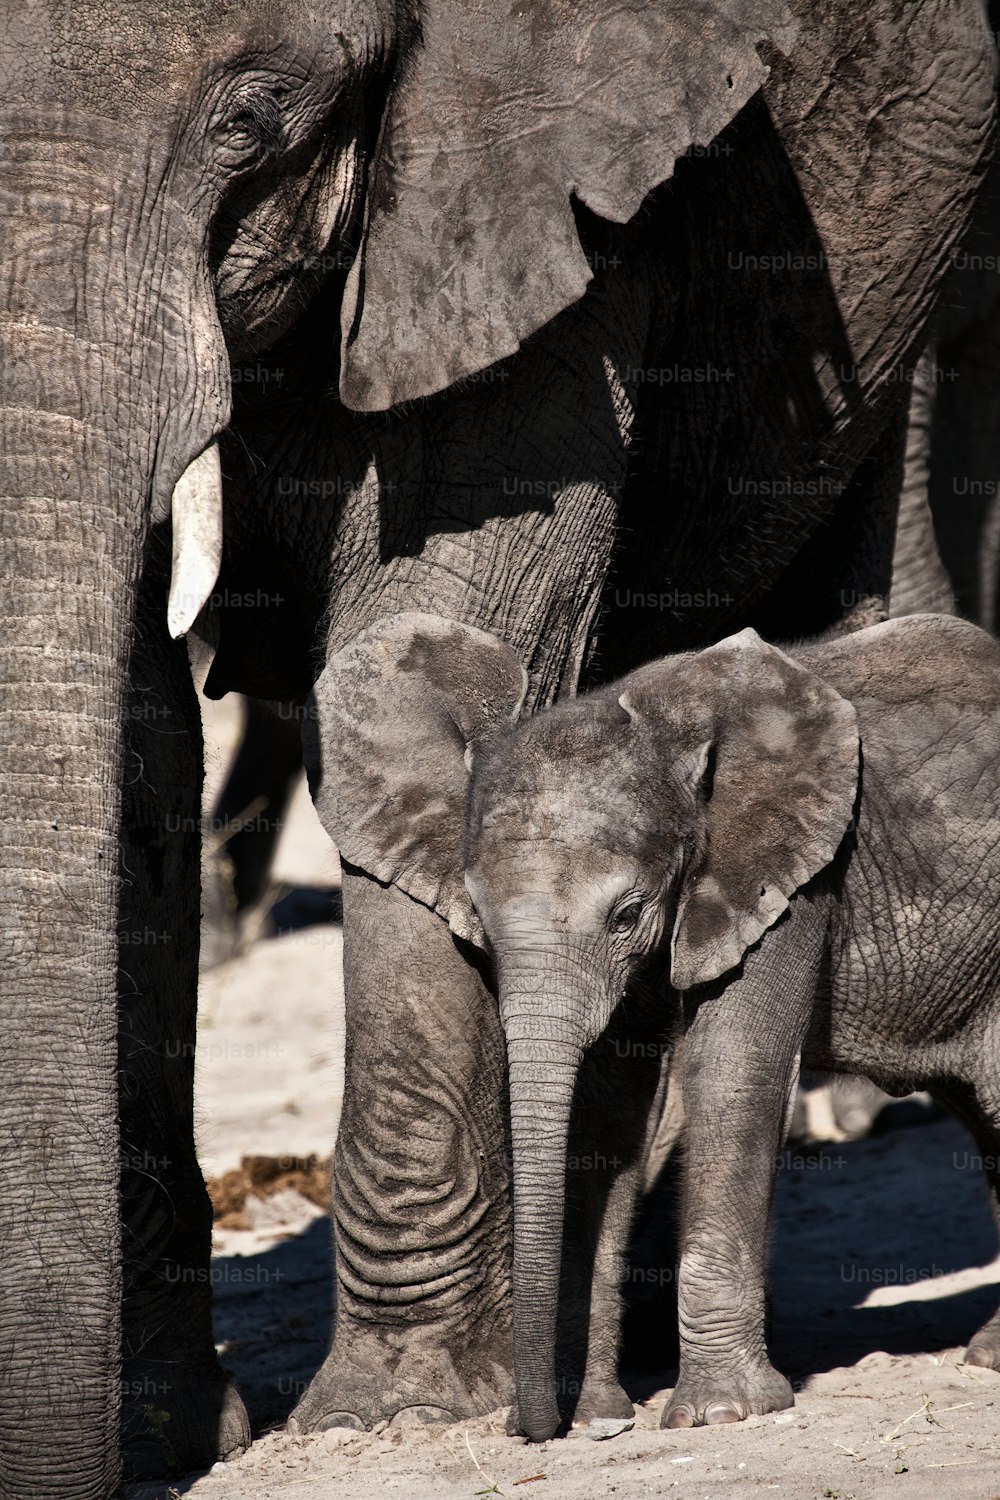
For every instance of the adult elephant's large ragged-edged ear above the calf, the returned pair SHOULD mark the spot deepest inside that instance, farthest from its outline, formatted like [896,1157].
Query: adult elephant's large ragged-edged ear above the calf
[503,116]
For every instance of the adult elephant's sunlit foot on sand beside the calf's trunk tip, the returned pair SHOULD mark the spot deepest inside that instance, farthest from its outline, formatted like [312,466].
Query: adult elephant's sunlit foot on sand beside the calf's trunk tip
[412,1387]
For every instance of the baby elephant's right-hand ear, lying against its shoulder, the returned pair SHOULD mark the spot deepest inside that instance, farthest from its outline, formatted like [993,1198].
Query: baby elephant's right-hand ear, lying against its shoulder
[783,787]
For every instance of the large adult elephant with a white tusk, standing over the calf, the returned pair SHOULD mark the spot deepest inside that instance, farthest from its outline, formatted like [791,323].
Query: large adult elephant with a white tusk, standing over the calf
[618,352]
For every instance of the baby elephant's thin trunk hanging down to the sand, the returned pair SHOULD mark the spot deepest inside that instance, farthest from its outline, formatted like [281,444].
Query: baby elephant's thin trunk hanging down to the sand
[543,1051]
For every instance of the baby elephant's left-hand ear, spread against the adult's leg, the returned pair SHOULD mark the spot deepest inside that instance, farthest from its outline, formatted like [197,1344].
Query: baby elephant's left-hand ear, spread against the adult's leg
[400,709]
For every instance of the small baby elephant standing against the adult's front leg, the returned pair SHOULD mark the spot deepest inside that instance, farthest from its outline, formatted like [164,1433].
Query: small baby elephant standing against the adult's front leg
[797,853]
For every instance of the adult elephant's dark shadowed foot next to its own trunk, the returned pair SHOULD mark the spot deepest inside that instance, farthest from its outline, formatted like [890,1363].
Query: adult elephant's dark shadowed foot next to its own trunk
[176,1424]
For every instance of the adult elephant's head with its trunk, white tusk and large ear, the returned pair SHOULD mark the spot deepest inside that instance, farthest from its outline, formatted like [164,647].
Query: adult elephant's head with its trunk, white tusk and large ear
[175,181]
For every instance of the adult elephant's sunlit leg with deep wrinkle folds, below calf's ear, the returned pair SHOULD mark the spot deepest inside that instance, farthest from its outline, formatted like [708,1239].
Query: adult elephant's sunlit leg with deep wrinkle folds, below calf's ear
[421,1184]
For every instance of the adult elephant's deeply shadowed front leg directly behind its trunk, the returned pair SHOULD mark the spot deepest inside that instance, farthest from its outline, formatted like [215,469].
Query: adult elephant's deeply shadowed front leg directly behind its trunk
[179,1411]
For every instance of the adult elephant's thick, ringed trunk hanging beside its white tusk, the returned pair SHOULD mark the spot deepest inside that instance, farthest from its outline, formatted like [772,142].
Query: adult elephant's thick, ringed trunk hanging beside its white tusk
[79,457]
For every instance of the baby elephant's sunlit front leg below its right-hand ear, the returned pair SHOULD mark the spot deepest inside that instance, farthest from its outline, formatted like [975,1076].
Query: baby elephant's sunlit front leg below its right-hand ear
[740,1063]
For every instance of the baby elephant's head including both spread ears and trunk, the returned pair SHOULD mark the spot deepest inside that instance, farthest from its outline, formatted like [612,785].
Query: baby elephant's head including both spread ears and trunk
[668,818]
